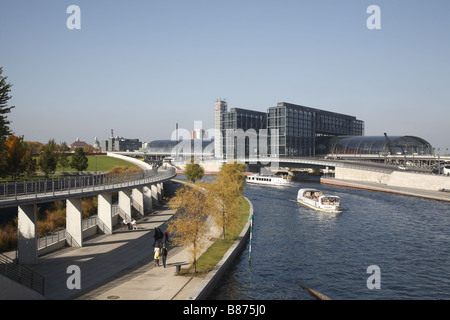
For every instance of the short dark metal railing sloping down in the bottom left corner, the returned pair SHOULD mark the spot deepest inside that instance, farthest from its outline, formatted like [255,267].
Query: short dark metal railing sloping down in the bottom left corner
[22,274]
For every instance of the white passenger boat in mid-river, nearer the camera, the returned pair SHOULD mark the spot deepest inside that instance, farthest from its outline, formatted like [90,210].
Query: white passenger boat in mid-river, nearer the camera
[316,200]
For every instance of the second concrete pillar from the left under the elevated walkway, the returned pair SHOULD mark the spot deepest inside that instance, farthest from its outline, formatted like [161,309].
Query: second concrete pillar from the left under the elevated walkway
[73,222]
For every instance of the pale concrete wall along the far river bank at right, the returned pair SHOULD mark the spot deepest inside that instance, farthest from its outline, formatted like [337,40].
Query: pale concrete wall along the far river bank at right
[396,178]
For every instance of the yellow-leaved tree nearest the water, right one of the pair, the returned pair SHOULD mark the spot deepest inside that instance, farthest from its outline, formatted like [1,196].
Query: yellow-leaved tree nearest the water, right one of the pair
[228,189]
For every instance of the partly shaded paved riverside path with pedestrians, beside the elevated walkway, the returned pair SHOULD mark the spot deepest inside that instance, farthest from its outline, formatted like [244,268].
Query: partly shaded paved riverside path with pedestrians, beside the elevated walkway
[121,266]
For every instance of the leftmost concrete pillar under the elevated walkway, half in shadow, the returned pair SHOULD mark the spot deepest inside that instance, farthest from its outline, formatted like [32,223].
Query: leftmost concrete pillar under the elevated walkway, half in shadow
[27,234]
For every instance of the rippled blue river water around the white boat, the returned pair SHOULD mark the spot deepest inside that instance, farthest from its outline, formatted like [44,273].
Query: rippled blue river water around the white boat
[407,238]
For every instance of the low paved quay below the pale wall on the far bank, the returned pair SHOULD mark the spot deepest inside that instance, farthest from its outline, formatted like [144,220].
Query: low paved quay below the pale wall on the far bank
[429,194]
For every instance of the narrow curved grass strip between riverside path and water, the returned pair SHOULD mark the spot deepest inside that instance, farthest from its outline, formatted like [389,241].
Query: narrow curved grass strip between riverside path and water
[217,250]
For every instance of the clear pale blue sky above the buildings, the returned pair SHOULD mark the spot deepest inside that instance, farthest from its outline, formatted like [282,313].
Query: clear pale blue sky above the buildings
[140,67]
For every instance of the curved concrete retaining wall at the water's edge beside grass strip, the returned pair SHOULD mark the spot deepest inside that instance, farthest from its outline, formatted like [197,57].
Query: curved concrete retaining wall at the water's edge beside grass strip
[208,284]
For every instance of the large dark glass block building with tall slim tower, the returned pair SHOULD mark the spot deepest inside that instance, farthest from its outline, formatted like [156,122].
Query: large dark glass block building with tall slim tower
[295,130]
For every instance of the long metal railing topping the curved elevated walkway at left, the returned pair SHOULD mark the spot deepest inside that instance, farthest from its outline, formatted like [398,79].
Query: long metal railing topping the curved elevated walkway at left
[82,184]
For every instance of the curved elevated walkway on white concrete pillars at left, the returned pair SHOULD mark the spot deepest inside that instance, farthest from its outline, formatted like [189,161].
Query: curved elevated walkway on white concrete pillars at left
[137,191]
